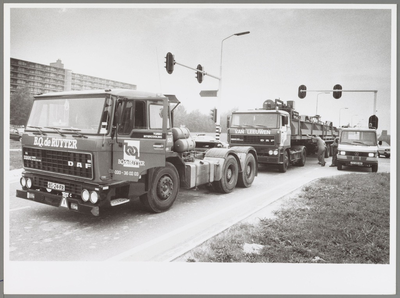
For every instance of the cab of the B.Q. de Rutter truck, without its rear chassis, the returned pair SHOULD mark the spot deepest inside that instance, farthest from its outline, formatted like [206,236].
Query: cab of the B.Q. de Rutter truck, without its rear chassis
[81,144]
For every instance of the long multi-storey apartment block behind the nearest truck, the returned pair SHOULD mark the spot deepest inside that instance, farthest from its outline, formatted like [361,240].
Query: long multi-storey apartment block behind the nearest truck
[41,78]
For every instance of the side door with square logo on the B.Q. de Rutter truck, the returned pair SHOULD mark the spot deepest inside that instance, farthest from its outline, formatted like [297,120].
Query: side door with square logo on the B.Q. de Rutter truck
[141,138]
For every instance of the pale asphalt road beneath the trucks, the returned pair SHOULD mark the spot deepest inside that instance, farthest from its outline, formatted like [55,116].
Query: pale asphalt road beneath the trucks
[129,233]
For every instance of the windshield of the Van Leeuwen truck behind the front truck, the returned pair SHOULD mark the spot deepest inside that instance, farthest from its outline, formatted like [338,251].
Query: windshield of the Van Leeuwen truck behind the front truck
[255,120]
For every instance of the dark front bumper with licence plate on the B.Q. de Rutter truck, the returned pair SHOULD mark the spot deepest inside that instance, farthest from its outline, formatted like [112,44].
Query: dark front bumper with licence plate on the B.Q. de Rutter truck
[58,201]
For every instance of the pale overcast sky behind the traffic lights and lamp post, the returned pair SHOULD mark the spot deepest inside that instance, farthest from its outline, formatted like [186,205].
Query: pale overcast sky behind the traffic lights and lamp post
[318,46]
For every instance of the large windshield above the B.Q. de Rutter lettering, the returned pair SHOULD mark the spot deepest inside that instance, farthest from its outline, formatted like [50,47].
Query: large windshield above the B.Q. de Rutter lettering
[68,114]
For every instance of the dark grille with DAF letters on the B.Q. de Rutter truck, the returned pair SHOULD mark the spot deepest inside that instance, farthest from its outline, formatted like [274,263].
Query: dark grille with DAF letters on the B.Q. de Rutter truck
[68,163]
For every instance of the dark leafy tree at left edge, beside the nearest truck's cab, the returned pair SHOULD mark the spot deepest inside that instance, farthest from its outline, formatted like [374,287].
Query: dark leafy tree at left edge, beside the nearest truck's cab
[21,102]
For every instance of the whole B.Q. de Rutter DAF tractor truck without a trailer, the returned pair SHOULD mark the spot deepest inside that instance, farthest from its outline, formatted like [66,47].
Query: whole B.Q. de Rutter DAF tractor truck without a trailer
[85,150]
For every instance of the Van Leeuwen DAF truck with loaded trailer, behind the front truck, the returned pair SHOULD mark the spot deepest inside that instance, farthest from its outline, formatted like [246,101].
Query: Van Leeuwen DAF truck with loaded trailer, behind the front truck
[279,134]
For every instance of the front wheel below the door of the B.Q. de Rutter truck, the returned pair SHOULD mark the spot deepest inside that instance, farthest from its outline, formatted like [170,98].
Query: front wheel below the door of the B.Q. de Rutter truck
[163,189]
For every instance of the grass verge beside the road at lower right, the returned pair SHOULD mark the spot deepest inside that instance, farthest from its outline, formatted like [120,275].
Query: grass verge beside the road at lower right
[342,219]
